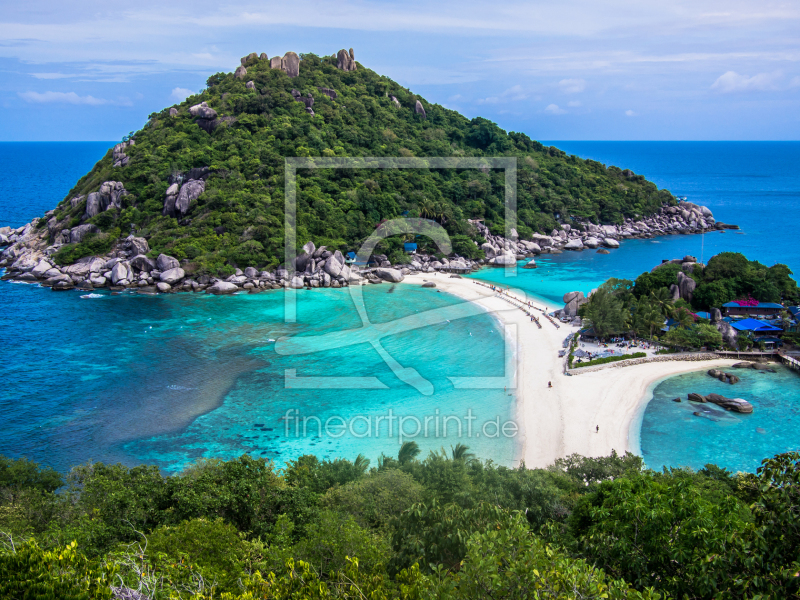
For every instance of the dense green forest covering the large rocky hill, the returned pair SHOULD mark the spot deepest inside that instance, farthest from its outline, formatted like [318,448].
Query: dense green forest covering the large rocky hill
[236,145]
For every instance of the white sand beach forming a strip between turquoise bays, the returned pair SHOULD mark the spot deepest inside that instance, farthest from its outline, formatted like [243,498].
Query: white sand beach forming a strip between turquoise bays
[562,420]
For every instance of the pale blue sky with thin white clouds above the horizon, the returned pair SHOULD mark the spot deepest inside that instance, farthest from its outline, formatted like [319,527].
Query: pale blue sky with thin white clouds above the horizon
[567,70]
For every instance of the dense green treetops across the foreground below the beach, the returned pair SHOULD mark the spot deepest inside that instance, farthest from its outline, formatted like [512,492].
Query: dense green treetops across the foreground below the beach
[445,526]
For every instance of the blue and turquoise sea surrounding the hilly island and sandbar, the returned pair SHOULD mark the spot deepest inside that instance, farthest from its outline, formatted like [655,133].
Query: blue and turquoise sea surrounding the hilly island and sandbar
[169,379]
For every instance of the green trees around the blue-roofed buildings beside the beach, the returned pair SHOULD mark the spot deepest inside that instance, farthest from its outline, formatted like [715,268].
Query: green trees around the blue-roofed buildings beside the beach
[621,306]
